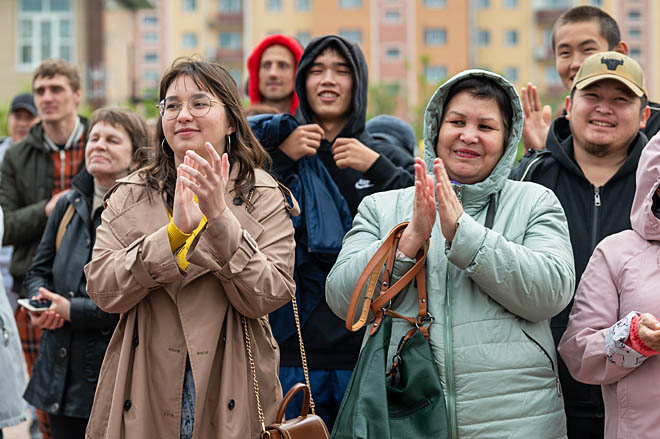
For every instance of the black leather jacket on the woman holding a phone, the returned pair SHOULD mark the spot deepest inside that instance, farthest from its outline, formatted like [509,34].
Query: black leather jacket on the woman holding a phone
[65,374]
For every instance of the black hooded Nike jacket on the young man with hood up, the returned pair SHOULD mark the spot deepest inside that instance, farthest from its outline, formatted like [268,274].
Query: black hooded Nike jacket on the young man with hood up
[328,343]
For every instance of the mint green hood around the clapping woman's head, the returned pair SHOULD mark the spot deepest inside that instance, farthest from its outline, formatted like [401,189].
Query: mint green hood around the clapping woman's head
[433,113]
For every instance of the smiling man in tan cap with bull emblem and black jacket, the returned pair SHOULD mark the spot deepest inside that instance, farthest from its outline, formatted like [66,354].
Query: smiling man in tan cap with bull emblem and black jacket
[590,162]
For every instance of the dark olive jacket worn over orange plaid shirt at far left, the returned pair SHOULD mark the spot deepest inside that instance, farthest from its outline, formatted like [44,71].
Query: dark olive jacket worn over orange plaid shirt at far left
[25,188]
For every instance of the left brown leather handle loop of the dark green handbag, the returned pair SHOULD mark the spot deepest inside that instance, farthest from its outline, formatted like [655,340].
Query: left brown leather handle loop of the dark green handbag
[369,277]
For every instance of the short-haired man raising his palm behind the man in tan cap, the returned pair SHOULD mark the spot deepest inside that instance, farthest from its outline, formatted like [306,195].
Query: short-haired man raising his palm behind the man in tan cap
[577,34]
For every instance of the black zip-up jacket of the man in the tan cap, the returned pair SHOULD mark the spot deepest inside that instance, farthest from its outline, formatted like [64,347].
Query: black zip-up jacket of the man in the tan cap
[593,214]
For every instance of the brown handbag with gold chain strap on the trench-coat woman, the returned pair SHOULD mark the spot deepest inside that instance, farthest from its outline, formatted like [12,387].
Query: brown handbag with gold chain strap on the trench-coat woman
[307,425]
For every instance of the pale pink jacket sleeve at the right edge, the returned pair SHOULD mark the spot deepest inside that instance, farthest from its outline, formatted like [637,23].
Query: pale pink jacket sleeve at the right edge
[595,311]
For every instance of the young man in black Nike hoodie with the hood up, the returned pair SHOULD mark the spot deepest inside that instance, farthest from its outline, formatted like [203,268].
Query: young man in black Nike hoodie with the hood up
[331,84]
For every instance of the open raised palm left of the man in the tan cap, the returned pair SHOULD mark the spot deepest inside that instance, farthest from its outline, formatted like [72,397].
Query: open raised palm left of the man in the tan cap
[537,119]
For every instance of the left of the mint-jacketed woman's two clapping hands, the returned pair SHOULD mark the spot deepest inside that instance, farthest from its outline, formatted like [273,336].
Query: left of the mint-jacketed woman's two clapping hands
[421,224]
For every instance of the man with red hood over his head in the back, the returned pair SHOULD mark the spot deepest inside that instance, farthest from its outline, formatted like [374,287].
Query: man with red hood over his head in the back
[272,67]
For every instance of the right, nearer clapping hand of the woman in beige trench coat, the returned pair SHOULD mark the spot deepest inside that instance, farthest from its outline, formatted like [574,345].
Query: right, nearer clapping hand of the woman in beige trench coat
[208,181]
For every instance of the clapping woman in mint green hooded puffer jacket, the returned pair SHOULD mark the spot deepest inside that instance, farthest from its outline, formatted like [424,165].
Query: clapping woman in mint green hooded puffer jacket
[492,290]
